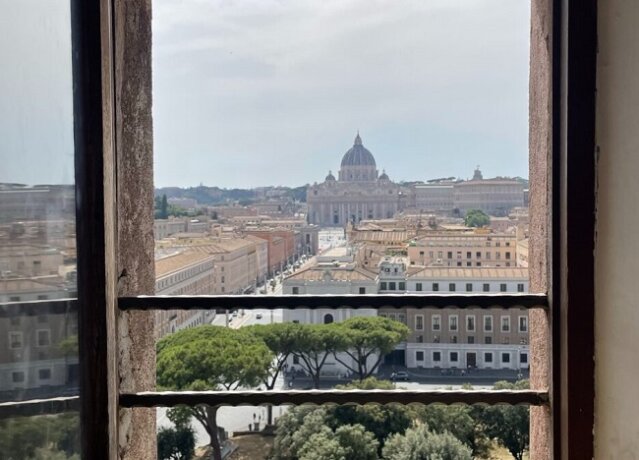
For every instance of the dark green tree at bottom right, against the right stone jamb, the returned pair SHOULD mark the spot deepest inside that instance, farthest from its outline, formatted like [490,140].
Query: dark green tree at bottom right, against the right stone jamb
[510,425]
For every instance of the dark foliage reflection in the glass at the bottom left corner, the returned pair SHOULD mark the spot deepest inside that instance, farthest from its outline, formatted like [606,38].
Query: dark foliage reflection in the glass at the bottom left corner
[42,437]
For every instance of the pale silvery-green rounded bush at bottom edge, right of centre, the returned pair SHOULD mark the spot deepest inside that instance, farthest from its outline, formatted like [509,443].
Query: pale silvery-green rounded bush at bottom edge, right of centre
[418,443]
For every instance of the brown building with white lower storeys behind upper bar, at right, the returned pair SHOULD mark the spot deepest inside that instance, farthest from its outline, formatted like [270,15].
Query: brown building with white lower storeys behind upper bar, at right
[469,338]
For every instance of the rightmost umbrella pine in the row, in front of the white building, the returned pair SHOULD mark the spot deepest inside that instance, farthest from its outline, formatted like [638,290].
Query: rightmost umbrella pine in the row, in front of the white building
[363,337]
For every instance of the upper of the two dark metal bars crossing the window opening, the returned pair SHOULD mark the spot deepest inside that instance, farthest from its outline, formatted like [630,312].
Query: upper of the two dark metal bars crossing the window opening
[332,301]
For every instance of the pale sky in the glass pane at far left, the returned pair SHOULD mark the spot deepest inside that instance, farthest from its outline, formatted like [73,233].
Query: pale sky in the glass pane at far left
[36,104]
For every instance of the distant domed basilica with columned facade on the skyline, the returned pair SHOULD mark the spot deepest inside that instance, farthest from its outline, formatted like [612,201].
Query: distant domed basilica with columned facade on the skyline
[358,192]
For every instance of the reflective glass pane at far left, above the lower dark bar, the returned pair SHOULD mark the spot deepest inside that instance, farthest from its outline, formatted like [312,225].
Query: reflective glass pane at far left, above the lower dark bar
[38,343]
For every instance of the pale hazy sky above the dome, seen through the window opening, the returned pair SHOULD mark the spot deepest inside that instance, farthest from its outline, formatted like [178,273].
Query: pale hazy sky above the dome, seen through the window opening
[268,92]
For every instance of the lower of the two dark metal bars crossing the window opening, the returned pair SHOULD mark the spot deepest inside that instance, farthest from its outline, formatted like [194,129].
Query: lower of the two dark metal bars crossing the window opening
[255,398]
